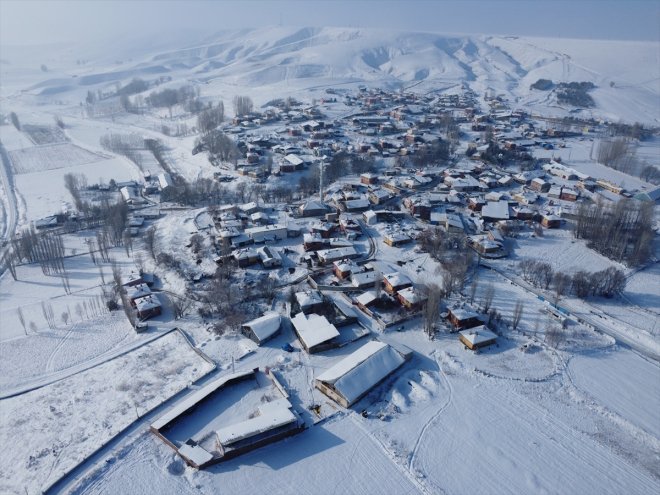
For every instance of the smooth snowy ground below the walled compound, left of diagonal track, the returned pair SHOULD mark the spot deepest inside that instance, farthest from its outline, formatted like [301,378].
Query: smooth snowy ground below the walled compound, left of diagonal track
[339,456]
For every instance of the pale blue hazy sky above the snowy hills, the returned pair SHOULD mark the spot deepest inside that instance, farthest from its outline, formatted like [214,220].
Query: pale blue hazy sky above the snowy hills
[37,21]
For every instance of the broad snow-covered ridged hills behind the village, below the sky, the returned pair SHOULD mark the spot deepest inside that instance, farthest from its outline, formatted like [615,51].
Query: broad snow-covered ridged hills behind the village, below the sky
[286,60]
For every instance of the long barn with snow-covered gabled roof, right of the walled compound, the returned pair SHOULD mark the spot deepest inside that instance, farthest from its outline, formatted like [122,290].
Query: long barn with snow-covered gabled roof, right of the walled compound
[356,374]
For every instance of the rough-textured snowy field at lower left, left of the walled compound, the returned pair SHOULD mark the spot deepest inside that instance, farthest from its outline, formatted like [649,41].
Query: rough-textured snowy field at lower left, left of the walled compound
[57,426]
